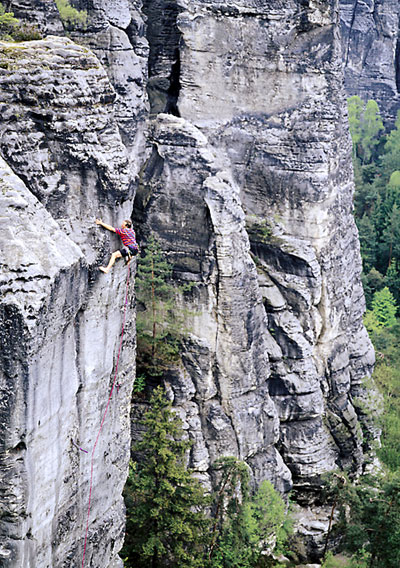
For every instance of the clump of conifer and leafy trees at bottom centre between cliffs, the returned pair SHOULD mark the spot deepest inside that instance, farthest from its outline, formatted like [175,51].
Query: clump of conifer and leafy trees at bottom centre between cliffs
[171,521]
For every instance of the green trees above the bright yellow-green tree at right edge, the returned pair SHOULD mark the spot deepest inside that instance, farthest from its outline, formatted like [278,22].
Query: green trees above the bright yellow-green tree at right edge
[376,159]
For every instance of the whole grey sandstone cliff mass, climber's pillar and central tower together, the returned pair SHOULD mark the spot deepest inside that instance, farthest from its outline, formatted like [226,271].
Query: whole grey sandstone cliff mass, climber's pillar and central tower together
[222,128]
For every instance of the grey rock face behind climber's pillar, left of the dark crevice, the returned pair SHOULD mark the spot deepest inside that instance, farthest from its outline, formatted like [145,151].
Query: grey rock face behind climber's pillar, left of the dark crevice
[115,32]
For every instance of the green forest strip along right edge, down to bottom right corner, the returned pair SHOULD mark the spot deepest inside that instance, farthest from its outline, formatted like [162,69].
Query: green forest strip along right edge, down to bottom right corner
[370,506]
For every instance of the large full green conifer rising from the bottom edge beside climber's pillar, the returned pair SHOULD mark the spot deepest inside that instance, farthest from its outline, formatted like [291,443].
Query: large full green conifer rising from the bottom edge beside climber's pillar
[166,525]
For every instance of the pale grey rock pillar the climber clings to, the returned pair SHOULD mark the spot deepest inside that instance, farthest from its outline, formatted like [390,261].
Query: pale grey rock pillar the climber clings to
[64,164]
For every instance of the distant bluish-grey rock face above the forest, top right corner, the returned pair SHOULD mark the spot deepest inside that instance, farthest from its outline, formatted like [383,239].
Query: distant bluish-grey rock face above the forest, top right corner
[370,37]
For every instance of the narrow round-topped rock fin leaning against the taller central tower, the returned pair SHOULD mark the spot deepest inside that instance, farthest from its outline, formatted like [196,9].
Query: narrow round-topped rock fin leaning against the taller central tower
[222,389]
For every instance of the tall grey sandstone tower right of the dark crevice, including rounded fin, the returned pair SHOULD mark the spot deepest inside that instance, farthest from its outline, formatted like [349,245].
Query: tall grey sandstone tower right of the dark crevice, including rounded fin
[262,83]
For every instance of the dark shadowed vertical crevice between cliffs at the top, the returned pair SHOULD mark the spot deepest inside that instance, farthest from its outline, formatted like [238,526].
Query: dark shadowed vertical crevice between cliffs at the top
[164,40]
